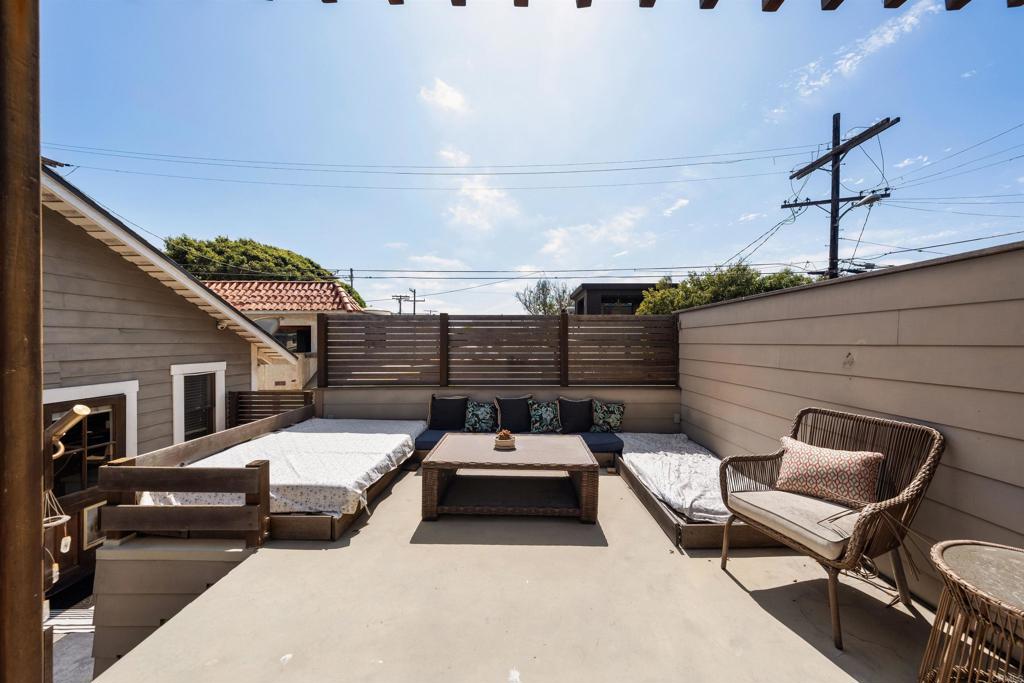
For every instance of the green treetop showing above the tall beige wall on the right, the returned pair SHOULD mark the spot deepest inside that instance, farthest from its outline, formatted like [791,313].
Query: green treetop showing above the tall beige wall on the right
[719,285]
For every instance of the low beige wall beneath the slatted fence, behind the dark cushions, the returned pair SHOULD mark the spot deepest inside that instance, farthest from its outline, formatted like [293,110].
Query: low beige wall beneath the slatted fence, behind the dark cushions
[648,409]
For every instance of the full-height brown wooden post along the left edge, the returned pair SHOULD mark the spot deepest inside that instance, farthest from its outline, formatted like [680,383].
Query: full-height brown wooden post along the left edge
[21,350]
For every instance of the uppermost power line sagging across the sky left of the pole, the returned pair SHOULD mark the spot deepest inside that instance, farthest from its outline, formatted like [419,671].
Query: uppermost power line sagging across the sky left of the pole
[113,152]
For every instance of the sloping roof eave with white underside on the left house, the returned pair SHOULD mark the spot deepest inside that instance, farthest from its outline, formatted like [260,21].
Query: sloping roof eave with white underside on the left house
[81,210]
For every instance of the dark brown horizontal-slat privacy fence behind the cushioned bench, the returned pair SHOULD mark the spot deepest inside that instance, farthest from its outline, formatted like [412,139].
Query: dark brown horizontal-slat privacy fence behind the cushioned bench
[465,351]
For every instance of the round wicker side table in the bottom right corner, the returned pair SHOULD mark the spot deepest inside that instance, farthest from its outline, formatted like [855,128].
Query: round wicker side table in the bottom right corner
[978,635]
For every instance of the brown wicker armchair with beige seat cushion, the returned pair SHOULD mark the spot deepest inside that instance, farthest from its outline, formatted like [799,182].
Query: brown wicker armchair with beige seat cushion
[912,455]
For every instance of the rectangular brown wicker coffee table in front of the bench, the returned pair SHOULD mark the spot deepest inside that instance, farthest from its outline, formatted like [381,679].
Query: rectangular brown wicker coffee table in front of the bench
[447,492]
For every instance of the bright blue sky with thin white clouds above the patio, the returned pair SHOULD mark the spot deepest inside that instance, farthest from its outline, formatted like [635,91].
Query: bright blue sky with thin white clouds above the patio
[490,86]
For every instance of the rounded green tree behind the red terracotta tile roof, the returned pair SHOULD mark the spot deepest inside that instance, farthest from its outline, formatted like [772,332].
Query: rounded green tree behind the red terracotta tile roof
[224,259]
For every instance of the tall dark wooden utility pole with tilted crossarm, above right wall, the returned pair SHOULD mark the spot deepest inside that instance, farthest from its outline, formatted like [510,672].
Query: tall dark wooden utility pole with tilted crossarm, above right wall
[835,158]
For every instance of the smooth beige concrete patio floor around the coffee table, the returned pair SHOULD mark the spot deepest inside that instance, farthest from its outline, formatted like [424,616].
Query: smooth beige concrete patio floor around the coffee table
[524,601]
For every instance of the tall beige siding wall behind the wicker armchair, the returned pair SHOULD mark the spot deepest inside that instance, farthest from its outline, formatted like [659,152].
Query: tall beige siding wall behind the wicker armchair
[942,346]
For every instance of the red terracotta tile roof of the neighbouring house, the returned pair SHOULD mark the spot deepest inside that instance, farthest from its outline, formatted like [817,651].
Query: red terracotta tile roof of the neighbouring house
[284,295]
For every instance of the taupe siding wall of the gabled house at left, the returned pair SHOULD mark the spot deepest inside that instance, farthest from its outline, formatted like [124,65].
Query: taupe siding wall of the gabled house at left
[107,321]
